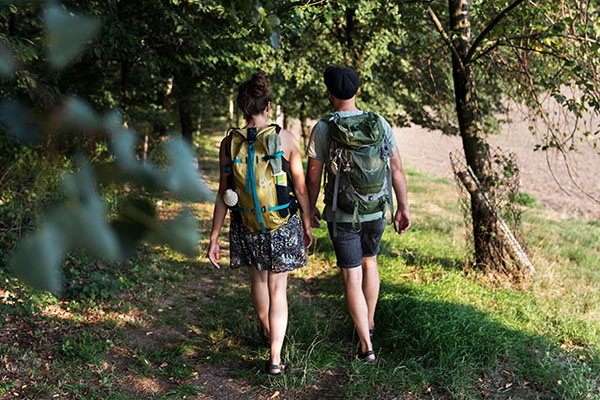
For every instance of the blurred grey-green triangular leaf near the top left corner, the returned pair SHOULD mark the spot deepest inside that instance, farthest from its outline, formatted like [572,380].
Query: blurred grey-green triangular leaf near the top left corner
[67,34]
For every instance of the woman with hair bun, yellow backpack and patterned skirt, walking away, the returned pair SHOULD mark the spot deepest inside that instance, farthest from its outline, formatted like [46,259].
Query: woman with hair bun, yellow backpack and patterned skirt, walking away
[262,183]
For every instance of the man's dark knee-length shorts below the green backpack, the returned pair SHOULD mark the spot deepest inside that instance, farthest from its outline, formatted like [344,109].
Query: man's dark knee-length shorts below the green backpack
[350,246]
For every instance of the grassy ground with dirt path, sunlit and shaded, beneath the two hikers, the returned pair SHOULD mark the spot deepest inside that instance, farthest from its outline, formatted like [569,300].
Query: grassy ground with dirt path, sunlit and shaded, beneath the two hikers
[164,323]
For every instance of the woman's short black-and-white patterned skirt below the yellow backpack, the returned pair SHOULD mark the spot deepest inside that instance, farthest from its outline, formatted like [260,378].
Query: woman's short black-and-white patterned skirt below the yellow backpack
[281,250]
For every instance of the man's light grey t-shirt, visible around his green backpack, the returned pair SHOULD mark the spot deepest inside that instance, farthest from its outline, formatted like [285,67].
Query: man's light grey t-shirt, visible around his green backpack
[318,148]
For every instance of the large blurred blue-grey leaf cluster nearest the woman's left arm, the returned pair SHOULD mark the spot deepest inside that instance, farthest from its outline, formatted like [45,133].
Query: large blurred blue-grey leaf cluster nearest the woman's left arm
[82,220]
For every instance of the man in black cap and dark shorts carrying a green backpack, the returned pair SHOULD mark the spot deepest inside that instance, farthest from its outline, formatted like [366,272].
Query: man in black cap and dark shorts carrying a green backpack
[359,152]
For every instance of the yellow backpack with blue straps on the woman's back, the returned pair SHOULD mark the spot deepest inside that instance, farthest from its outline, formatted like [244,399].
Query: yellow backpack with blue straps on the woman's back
[258,177]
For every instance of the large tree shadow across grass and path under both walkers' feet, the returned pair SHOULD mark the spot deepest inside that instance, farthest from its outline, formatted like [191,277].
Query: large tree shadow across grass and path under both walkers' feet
[455,349]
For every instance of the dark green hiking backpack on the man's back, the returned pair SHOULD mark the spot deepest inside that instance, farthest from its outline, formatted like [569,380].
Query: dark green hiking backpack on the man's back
[358,176]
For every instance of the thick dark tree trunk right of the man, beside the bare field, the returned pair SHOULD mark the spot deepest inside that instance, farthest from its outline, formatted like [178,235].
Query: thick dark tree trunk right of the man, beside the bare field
[488,248]
